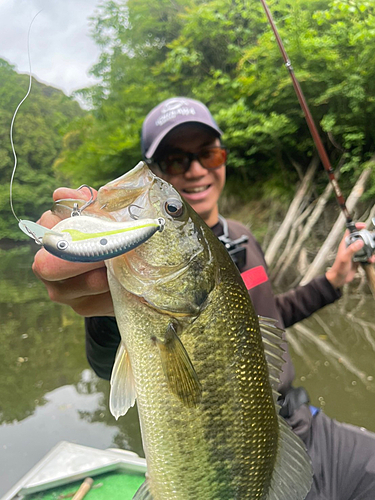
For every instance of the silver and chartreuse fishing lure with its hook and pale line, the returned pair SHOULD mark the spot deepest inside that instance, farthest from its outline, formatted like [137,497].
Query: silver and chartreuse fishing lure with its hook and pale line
[82,238]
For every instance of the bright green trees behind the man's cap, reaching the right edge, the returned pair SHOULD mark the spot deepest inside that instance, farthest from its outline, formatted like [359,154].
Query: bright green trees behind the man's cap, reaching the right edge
[224,53]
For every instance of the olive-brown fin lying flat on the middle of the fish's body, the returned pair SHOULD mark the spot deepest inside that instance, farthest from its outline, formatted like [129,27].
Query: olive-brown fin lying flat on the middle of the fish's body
[178,369]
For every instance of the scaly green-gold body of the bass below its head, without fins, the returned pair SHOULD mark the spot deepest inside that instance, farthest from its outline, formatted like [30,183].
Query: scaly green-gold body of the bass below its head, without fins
[227,433]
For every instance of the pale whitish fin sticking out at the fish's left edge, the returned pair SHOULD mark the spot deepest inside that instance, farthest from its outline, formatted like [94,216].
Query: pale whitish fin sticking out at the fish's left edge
[123,394]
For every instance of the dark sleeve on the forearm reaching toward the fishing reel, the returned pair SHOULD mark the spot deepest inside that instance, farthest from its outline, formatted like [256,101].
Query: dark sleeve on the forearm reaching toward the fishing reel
[299,303]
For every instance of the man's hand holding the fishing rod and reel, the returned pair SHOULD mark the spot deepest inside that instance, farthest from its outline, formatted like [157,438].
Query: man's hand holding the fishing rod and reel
[343,269]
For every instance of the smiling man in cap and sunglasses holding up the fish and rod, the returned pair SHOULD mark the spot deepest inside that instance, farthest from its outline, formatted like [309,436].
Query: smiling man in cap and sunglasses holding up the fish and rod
[181,143]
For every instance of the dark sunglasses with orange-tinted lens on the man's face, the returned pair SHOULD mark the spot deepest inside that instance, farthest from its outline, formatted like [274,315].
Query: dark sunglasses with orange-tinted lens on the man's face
[178,162]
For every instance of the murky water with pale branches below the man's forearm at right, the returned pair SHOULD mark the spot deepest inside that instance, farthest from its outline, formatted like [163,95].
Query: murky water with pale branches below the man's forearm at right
[334,357]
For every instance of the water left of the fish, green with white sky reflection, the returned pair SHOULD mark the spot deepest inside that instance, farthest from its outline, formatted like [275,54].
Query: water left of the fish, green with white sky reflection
[47,392]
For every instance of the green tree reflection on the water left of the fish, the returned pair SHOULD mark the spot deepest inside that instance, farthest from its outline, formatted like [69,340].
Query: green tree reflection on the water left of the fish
[42,345]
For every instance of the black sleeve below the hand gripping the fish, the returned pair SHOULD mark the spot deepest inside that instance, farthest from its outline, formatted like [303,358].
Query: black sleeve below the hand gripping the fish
[102,340]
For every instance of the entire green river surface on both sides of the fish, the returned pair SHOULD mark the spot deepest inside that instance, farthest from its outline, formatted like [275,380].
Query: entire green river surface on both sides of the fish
[49,394]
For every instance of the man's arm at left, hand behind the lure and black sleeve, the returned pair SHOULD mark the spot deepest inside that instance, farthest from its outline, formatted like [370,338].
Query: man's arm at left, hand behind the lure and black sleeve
[83,287]
